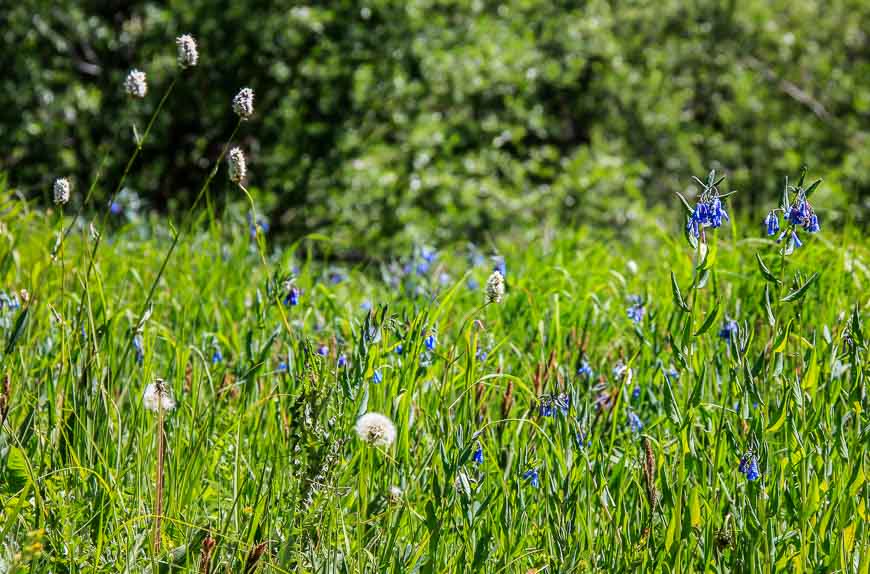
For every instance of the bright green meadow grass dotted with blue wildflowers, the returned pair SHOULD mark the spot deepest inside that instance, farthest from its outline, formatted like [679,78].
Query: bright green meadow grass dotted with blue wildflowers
[549,432]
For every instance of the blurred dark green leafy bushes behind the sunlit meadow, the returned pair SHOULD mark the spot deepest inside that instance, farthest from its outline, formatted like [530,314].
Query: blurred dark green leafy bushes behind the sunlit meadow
[426,119]
